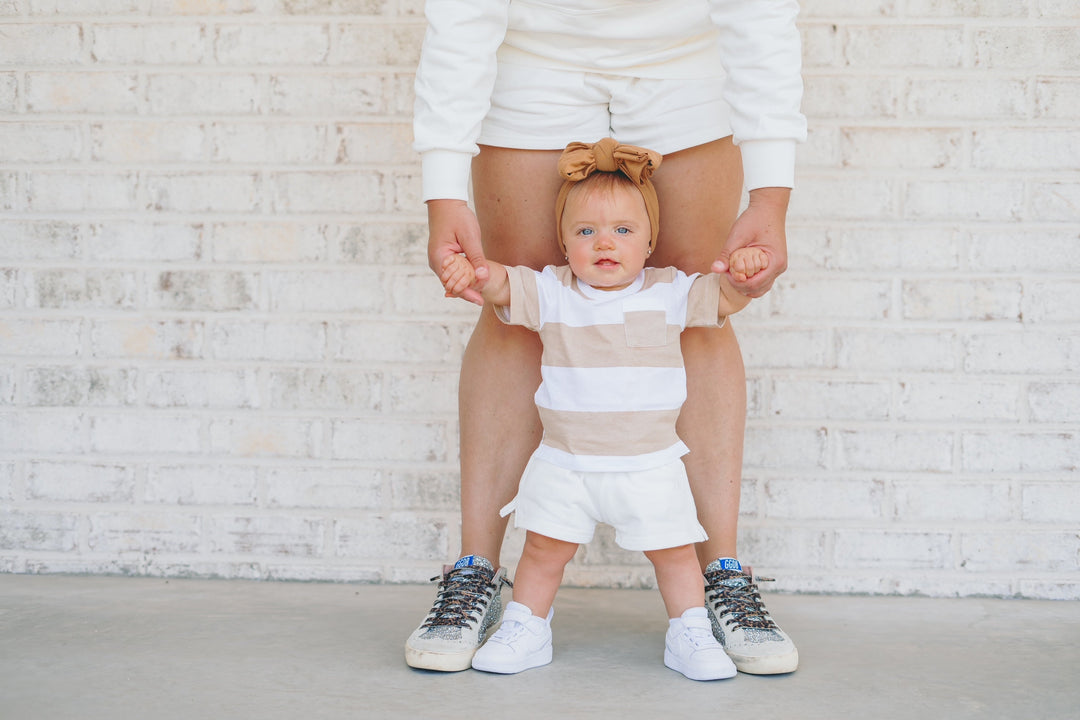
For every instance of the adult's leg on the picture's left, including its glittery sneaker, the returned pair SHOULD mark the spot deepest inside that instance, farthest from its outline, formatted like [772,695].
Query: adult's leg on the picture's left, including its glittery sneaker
[515,197]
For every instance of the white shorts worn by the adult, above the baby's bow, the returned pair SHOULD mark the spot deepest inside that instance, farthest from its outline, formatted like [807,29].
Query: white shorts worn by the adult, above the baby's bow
[545,110]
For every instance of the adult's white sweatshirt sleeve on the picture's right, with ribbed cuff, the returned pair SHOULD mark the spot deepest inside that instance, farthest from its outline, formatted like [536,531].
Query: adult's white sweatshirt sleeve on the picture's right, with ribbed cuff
[763,58]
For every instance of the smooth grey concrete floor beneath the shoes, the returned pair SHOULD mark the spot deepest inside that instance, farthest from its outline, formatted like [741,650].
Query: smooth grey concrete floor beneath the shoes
[87,648]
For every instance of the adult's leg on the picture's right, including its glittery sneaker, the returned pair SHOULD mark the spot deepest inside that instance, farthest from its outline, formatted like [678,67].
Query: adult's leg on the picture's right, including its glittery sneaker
[699,193]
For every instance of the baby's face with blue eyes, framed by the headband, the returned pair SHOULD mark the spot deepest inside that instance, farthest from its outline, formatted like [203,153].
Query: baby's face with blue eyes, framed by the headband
[607,237]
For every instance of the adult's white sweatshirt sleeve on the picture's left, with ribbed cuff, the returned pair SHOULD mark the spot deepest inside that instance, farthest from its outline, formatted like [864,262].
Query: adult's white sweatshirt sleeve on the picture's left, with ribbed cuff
[454,85]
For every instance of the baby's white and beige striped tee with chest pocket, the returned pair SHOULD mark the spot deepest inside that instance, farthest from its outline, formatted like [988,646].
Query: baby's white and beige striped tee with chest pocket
[613,381]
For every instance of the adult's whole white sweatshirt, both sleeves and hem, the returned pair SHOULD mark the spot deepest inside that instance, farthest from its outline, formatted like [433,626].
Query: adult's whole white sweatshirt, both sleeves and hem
[754,44]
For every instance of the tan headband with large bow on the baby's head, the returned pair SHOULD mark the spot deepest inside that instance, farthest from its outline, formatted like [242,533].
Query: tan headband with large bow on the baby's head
[580,160]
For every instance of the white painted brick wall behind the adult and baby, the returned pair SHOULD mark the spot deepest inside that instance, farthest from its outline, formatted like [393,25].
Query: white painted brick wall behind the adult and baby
[222,354]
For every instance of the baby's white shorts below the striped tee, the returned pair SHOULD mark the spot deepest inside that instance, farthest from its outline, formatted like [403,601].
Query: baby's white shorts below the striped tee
[650,510]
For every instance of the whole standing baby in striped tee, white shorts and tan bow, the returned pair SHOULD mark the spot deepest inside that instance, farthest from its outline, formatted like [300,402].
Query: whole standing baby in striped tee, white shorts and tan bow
[612,388]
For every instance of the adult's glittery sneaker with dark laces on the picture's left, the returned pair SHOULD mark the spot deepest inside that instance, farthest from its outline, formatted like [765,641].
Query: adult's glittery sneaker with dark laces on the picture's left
[468,605]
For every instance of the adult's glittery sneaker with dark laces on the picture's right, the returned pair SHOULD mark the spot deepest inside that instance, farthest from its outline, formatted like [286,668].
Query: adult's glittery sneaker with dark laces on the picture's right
[742,624]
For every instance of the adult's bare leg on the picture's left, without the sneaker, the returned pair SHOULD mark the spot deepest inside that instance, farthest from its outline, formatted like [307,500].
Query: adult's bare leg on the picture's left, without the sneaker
[515,196]
